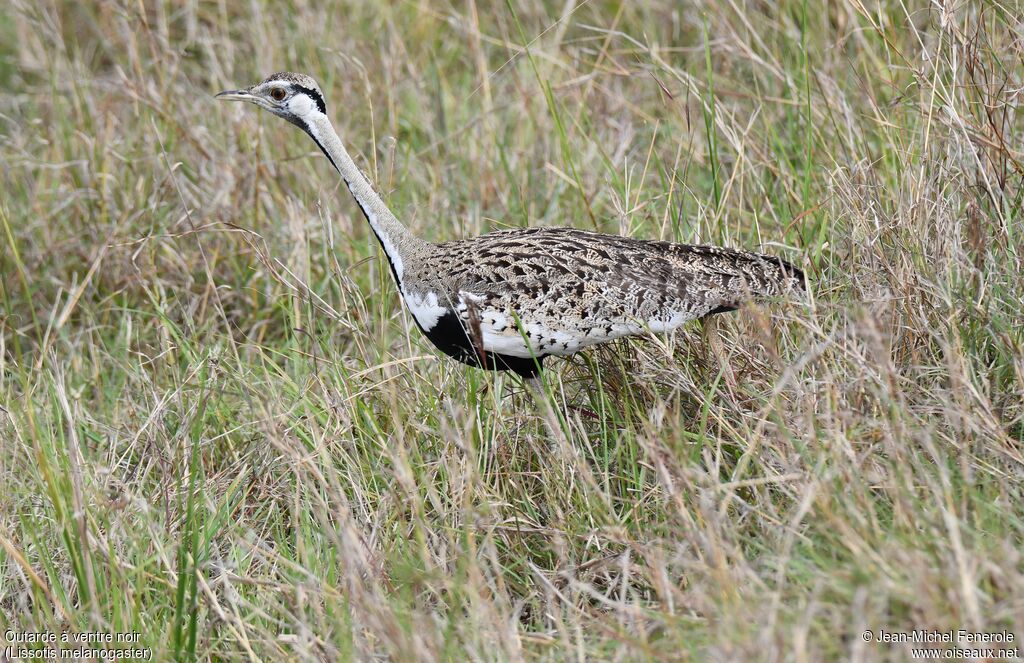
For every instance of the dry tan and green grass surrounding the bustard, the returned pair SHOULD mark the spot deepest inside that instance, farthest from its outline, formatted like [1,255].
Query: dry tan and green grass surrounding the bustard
[221,430]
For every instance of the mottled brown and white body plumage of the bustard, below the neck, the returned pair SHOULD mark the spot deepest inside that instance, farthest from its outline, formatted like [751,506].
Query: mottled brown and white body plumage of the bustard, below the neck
[570,289]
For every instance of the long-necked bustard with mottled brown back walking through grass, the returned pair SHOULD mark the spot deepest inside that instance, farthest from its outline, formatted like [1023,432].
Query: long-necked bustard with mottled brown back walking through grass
[508,300]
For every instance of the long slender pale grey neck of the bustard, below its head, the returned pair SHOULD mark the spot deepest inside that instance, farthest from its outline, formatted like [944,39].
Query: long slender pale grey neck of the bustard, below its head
[395,238]
